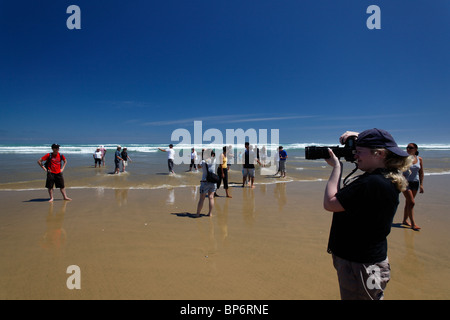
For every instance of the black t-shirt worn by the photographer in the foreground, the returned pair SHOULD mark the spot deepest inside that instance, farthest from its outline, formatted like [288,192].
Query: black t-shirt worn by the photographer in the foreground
[359,233]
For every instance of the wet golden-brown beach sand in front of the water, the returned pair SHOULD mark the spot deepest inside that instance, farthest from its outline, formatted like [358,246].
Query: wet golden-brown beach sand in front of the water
[265,243]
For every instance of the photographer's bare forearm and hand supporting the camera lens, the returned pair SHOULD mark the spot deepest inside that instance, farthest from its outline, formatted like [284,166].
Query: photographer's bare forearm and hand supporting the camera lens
[330,202]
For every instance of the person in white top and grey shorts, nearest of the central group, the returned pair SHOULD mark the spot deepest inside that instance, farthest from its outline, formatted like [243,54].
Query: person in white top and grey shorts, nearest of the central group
[207,188]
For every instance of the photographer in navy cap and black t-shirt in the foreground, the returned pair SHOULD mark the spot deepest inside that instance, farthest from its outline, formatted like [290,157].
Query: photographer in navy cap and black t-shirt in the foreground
[363,211]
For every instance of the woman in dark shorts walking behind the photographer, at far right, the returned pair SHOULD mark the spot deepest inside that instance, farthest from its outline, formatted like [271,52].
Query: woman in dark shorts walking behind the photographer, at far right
[415,183]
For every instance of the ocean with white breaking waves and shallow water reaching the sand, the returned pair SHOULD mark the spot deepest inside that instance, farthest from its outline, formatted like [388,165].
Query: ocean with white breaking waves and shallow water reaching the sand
[148,169]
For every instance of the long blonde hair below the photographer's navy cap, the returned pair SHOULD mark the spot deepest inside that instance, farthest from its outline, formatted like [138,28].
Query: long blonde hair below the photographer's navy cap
[395,166]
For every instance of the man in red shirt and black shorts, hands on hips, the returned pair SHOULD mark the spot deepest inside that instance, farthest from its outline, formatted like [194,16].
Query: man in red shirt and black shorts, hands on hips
[54,166]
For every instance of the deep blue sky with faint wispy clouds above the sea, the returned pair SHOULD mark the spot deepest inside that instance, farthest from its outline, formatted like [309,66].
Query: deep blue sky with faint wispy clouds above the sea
[138,70]
